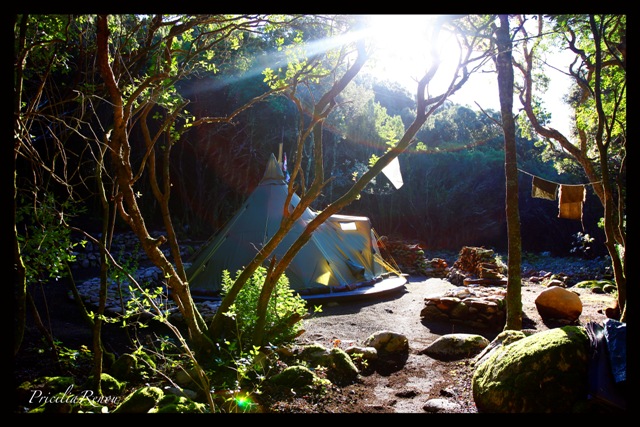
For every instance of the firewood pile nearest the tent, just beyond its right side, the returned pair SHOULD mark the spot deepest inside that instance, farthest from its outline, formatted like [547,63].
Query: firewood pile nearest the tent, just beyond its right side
[411,259]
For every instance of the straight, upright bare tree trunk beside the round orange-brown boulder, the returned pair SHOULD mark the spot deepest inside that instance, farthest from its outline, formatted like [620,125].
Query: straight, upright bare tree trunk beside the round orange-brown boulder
[505,88]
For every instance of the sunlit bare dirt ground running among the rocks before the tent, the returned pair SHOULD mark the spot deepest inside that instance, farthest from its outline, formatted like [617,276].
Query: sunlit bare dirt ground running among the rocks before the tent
[408,388]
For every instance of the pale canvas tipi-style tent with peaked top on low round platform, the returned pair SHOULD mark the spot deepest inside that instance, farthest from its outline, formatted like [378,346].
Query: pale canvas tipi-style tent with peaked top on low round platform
[341,256]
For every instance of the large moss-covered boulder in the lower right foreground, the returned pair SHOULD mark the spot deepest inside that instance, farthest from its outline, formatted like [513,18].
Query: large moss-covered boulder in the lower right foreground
[546,372]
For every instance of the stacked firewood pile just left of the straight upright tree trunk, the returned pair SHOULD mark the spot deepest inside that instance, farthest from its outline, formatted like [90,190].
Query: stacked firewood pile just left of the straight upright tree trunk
[478,266]
